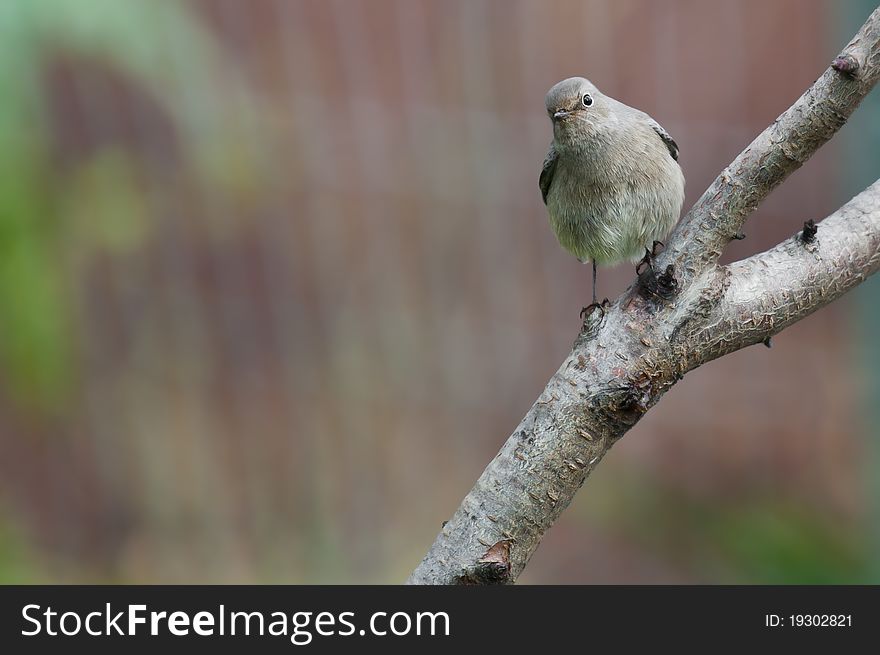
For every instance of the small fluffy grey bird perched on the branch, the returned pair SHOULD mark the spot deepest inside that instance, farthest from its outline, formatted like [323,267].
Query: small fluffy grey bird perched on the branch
[611,180]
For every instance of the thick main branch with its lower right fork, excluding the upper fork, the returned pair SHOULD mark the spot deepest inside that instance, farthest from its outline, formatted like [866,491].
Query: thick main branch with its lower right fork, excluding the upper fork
[620,368]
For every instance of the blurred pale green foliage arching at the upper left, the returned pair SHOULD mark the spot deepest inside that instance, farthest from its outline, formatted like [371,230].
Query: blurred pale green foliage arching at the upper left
[52,220]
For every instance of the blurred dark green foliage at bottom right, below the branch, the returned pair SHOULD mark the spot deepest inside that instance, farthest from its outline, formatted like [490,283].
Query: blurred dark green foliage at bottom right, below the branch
[746,539]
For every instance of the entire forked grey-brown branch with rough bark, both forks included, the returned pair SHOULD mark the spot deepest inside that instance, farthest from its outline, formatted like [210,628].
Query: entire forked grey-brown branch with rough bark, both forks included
[666,324]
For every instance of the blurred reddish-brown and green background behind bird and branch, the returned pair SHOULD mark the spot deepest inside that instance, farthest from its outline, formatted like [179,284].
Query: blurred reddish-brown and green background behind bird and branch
[276,282]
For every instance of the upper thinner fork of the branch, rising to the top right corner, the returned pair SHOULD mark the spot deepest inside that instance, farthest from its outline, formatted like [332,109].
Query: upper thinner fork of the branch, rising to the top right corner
[778,151]
